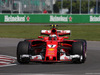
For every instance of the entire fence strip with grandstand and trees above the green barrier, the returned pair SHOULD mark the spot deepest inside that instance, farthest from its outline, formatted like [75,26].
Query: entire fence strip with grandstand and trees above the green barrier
[52,6]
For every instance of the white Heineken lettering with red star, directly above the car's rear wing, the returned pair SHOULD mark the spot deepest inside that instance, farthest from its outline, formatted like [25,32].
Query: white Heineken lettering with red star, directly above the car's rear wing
[60,19]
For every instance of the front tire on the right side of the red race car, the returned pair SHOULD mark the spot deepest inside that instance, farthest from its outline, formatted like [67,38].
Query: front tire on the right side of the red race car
[79,49]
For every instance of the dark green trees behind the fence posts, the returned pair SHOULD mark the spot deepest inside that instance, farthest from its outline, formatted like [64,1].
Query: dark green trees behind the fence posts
[76,5]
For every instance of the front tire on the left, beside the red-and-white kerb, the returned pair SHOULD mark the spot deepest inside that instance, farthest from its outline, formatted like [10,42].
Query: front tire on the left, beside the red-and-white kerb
[23,48]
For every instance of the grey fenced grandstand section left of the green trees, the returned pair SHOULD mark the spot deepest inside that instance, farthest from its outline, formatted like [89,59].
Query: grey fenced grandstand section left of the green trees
[26,6]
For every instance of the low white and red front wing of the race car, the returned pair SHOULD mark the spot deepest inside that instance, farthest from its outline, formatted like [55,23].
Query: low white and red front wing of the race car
[38,58]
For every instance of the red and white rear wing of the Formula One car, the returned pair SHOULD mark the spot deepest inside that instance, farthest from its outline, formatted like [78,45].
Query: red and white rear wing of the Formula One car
[59,32]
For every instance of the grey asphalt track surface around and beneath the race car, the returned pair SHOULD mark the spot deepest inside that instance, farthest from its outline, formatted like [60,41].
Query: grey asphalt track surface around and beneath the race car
[90,67]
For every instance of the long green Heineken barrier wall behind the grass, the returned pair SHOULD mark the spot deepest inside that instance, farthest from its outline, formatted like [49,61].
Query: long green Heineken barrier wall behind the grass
[49,18]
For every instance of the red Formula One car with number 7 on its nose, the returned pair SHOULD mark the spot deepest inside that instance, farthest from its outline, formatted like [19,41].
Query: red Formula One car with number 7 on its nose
[52,48]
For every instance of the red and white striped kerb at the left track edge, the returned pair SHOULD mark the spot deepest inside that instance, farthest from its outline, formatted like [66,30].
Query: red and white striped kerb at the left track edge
[7,60]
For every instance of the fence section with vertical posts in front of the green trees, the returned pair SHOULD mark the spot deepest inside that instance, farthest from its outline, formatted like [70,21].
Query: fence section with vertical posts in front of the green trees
[80,6]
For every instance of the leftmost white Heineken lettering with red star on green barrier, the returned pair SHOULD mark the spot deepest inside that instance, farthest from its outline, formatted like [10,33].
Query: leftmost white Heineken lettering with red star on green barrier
[16,18]
